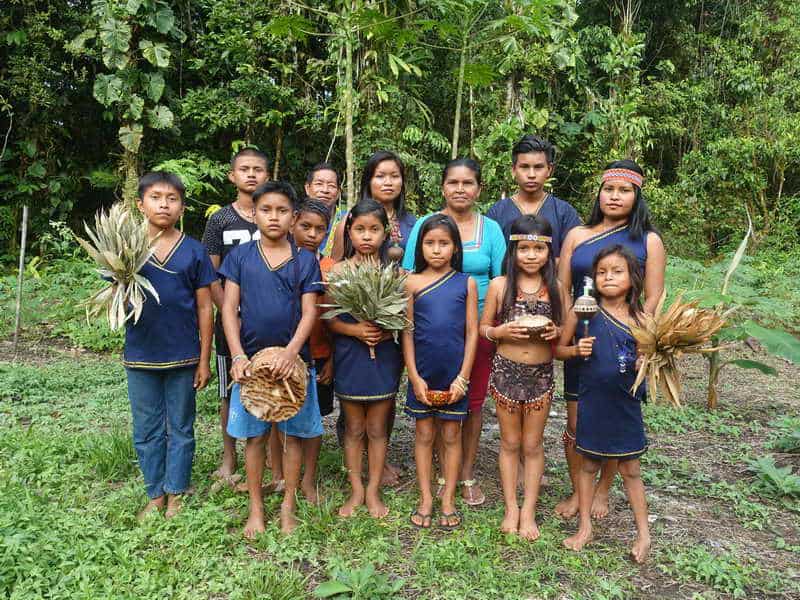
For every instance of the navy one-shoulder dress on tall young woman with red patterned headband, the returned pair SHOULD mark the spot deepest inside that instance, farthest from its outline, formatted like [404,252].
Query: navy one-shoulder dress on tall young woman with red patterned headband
[581,266]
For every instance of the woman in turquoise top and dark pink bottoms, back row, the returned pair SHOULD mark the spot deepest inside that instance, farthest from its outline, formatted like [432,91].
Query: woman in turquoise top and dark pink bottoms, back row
[484,248]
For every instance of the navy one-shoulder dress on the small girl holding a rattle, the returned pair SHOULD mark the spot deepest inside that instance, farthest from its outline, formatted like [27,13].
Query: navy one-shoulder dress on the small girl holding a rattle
[610,421]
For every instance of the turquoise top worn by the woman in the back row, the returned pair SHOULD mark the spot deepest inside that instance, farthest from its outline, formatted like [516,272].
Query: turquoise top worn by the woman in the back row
[483,255]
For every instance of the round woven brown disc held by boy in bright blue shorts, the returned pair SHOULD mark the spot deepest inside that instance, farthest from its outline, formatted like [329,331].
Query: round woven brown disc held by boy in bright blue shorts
[271,399]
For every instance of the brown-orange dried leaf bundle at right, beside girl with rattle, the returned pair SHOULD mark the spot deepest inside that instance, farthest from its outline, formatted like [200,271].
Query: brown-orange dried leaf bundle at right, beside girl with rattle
[662,339]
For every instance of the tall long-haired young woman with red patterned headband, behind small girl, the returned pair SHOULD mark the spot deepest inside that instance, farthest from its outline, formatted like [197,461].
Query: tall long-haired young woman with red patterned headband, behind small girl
[619,216]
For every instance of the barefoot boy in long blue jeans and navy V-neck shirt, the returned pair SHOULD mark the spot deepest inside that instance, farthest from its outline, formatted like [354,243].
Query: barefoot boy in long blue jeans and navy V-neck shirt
[167,351]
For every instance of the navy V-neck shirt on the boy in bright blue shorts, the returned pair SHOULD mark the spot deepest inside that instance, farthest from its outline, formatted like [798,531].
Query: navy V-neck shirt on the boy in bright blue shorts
[270,296]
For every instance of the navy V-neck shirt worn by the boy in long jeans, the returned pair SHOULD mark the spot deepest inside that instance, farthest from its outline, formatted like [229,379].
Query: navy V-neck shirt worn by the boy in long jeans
[167,333]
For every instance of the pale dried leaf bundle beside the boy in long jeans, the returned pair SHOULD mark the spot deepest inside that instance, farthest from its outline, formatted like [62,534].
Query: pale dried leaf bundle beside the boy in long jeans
[120,245]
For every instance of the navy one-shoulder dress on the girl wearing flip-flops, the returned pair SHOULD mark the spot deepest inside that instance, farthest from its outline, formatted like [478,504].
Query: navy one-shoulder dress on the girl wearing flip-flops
[440,326]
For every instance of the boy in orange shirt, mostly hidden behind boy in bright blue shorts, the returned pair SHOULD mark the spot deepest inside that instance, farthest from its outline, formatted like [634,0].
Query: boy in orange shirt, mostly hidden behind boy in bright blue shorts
[309,231]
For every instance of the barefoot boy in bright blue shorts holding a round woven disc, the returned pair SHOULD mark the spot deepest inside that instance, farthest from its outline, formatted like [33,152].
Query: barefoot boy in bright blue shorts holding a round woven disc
[270,300]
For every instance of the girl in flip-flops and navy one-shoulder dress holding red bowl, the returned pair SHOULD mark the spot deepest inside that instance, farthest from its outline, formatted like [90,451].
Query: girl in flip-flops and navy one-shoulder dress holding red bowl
[439,353]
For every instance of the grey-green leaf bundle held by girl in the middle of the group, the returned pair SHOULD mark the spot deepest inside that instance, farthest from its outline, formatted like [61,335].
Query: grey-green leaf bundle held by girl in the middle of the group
[369,292]
